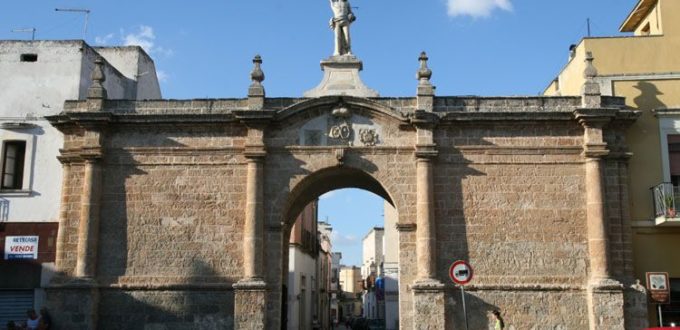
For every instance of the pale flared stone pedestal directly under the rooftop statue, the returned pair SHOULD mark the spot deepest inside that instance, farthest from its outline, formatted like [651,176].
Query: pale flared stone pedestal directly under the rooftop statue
[341,77]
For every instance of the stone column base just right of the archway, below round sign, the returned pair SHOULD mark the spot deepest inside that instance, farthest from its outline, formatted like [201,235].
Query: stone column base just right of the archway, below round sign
[429,309]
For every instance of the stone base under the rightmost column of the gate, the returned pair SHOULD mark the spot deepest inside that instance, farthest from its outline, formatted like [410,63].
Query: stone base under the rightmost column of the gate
[605,305]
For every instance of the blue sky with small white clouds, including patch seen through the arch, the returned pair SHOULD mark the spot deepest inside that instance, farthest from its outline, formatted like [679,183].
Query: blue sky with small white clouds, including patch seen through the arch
[204,49]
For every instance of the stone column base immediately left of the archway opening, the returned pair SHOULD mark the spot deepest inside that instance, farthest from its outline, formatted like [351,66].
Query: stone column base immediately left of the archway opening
[250,309]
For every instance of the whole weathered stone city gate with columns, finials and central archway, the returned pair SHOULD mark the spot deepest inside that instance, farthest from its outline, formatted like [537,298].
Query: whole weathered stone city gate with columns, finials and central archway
[175,213]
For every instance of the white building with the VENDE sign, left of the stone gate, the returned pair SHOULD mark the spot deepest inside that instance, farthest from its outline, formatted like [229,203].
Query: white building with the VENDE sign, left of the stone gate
[36,77]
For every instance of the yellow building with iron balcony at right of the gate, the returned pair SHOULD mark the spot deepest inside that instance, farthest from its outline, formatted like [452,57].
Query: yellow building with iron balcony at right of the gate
[645,69]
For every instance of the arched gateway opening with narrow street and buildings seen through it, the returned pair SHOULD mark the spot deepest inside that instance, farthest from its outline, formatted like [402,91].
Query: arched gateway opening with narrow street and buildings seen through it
[320,283]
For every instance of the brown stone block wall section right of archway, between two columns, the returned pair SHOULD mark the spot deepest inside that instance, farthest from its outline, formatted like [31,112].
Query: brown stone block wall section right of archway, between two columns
[510,200]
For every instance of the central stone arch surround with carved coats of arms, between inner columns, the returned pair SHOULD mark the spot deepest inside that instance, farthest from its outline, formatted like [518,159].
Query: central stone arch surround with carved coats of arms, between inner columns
[306,160]
